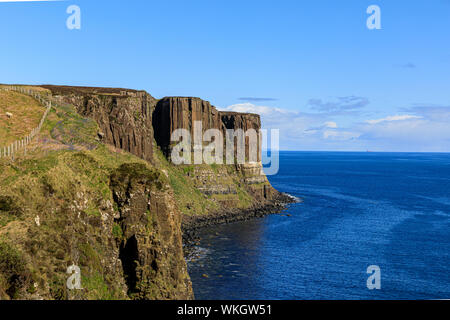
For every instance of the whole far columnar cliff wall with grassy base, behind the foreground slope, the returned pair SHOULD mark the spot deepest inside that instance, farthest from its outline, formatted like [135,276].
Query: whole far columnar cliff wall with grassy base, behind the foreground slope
[138,123]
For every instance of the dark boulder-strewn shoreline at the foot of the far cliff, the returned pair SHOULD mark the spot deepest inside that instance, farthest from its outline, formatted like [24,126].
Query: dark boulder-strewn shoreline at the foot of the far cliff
[192,224]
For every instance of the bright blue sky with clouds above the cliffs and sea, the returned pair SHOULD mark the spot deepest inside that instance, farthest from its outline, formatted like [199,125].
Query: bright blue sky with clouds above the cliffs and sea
[311,68]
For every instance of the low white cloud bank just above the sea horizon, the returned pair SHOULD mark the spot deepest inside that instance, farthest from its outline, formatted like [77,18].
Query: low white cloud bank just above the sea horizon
[420,128]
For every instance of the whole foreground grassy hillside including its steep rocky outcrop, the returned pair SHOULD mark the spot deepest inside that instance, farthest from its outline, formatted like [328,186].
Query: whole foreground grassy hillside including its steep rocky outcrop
[58,208]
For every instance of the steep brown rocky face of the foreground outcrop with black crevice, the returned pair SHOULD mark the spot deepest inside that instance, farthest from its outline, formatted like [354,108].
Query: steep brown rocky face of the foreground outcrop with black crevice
[149,234]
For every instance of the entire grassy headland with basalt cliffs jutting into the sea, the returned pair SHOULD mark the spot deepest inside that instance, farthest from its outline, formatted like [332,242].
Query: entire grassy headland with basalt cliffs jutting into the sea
[97,190]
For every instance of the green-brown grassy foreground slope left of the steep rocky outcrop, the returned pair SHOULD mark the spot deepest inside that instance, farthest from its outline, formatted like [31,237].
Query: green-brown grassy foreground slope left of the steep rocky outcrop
[68,167]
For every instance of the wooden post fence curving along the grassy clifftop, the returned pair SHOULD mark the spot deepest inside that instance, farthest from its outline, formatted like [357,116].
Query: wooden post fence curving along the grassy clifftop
[18,145]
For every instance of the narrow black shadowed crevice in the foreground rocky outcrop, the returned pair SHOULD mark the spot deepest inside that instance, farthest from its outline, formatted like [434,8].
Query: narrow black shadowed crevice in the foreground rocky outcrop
[129,255]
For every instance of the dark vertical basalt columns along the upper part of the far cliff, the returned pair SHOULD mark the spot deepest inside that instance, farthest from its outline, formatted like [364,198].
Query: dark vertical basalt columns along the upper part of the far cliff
[131,120]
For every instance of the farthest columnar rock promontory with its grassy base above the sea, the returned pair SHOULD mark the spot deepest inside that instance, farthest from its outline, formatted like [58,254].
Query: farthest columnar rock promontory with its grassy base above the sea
[231,186]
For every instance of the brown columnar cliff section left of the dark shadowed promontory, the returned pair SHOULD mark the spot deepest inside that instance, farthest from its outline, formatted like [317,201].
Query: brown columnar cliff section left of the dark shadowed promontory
[124,116]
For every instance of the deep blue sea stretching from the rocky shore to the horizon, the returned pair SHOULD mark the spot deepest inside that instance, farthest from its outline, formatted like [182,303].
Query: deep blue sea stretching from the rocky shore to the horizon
[358,209]
